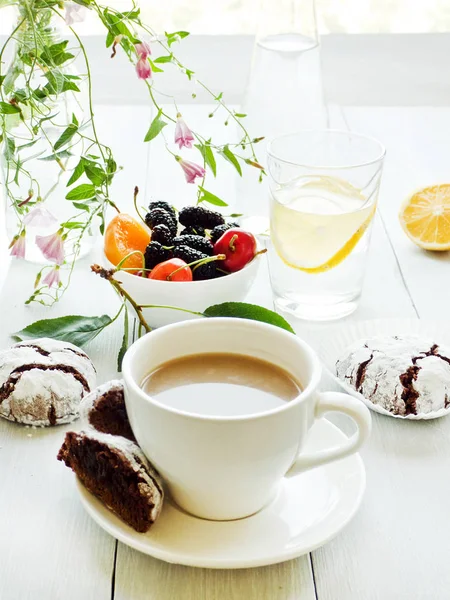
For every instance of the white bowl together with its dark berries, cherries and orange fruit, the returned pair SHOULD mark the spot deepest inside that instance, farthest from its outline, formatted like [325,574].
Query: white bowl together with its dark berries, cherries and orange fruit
[193,259]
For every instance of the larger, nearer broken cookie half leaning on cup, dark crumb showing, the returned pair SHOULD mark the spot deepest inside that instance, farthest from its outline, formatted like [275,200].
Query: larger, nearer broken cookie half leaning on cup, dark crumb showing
[116,471]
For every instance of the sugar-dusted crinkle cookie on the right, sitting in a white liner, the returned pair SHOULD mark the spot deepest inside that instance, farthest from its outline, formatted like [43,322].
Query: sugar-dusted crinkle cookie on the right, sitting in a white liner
[405,375]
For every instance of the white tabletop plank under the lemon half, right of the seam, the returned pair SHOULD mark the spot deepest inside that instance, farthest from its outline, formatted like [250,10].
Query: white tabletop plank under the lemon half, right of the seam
[417,155]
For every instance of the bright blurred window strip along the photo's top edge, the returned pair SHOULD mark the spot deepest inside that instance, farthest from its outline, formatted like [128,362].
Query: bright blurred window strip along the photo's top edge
[241,16]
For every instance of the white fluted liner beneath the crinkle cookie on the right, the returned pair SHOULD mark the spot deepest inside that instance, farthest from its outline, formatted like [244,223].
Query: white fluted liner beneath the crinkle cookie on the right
[331,344]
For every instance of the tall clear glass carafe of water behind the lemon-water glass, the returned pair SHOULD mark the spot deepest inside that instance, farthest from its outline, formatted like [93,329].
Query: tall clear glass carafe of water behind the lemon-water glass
[284,92]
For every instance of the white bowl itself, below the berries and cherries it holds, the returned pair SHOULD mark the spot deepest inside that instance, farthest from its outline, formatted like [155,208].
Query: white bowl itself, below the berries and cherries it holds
[190,295]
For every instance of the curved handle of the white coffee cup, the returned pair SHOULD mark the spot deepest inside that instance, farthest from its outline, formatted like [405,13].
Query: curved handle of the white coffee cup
[343,403]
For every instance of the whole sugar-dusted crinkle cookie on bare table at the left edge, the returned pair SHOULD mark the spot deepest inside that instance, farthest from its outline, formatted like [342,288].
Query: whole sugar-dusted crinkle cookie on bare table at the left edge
[42,382]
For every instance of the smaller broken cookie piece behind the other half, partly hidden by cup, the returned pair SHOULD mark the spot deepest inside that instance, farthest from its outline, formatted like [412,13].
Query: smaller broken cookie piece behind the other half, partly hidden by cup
[104,410]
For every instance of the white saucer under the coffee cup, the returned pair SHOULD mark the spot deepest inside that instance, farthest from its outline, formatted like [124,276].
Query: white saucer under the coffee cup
[309,511]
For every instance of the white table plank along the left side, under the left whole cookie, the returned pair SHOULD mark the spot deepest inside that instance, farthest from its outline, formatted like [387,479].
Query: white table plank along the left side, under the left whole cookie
[49,547]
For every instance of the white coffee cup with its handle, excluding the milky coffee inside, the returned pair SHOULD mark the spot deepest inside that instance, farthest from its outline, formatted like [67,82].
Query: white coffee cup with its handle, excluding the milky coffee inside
[224,468]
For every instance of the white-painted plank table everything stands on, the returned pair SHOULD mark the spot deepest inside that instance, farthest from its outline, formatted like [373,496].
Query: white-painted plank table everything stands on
[397,547]
